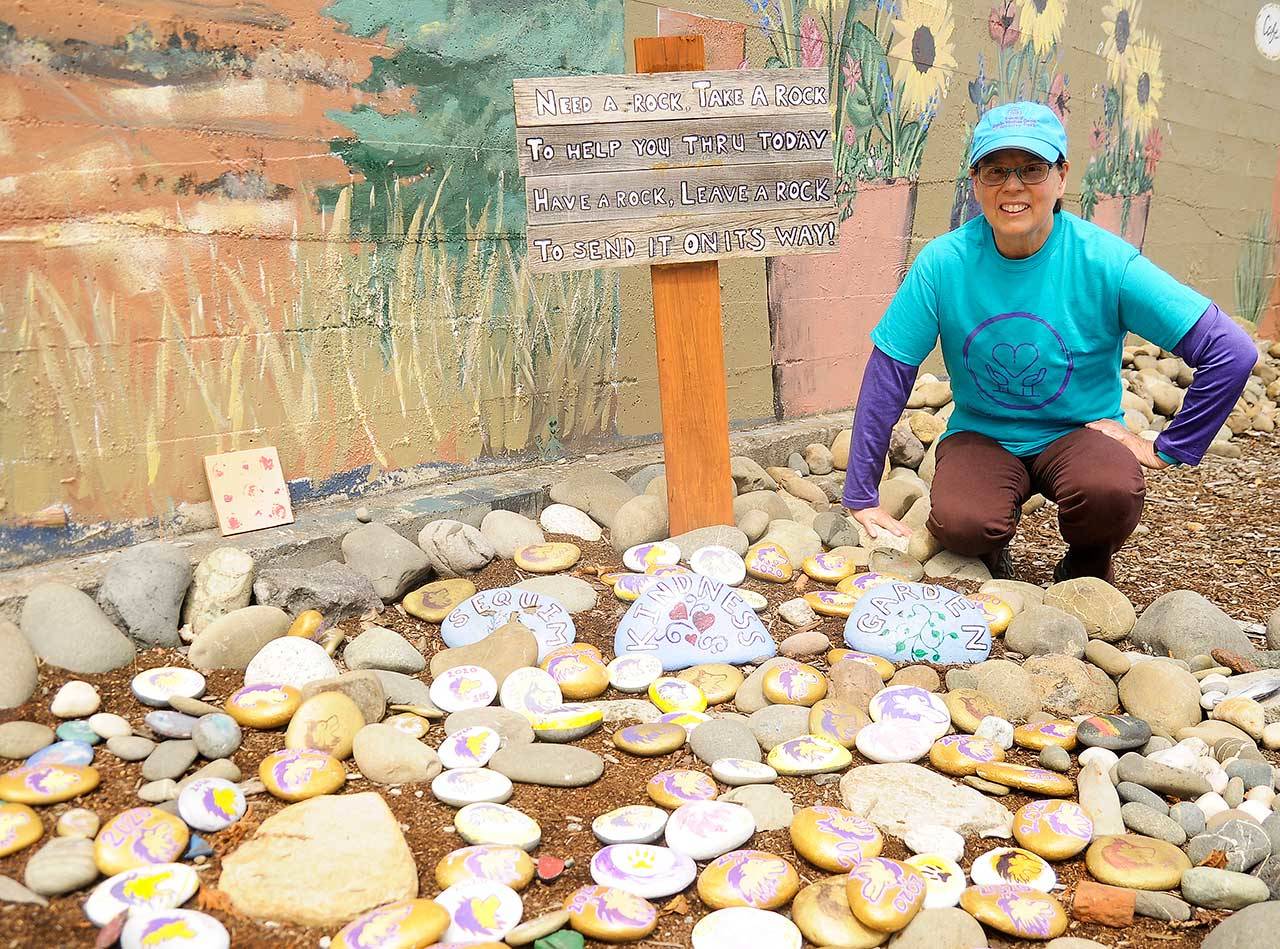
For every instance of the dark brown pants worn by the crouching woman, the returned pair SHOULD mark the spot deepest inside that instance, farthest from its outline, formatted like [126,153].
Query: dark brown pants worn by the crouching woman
[1096,482]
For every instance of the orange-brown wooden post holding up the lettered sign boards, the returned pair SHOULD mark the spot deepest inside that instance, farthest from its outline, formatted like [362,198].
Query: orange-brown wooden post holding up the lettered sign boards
[687,316]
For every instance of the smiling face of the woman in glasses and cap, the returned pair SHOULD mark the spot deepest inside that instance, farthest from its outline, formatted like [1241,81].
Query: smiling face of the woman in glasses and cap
[1021,216]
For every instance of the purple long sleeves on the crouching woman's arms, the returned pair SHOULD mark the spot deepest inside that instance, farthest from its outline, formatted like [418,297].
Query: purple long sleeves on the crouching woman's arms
[1219,352]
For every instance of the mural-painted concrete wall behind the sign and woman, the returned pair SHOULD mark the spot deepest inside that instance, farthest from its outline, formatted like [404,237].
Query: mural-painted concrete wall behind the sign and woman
[299,225]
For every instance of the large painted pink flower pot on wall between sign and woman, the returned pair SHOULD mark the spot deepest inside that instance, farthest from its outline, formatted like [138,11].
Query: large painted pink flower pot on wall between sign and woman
[824,307]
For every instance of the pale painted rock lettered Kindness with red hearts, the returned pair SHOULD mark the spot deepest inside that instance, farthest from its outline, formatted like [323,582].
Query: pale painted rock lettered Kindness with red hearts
[692,620]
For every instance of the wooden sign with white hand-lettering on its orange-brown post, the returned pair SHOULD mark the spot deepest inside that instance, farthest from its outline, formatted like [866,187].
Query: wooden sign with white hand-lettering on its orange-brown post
[679,168]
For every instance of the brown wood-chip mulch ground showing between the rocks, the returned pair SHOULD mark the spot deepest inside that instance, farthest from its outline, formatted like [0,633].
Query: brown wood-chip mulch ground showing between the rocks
[1214,530]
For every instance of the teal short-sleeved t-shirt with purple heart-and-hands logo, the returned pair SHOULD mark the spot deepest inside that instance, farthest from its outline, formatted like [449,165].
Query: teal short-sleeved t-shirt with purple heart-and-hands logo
[1034,346]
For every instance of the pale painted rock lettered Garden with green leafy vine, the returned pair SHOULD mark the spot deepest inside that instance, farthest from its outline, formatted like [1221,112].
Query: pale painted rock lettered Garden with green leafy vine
[918,623]
